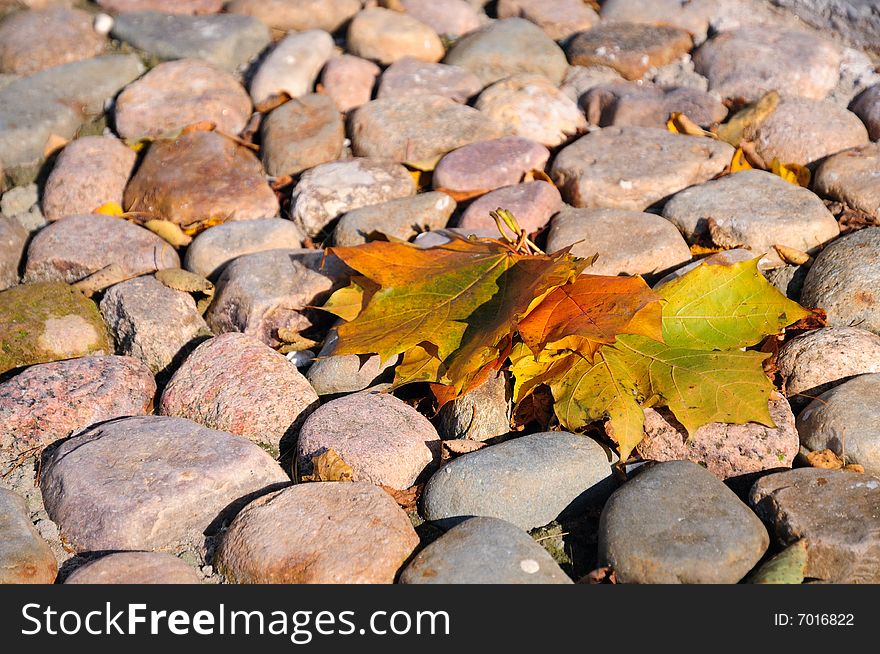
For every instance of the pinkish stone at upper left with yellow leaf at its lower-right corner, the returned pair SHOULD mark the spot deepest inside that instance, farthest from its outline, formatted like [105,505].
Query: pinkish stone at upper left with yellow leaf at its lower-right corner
[90,172]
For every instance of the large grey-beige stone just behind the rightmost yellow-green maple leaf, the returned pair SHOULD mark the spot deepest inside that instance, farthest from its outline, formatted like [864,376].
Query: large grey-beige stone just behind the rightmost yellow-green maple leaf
[753,210]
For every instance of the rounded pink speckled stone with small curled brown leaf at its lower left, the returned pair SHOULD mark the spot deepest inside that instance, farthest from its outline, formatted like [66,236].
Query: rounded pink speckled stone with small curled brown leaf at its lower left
[383,439]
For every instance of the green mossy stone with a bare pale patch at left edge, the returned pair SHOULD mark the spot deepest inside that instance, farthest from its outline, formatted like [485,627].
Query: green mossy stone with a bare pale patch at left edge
[47,322]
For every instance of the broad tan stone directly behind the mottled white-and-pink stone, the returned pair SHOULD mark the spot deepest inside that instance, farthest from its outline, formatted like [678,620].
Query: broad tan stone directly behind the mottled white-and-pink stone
[385,128]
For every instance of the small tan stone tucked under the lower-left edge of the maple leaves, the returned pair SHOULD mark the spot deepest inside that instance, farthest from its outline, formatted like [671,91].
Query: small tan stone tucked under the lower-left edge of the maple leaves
[480,414]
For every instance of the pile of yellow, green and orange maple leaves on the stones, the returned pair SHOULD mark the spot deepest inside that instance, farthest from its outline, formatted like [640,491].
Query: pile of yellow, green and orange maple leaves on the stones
[605,346]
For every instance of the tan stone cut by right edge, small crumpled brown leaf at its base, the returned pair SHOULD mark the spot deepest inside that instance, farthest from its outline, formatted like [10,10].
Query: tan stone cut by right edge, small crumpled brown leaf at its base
[846,420]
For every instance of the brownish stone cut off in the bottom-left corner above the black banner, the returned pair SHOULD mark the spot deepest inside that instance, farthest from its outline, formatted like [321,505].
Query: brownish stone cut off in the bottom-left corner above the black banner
[25,558]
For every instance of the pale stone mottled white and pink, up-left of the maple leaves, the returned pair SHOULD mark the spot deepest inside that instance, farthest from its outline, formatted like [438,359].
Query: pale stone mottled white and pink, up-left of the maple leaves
[327,191]
